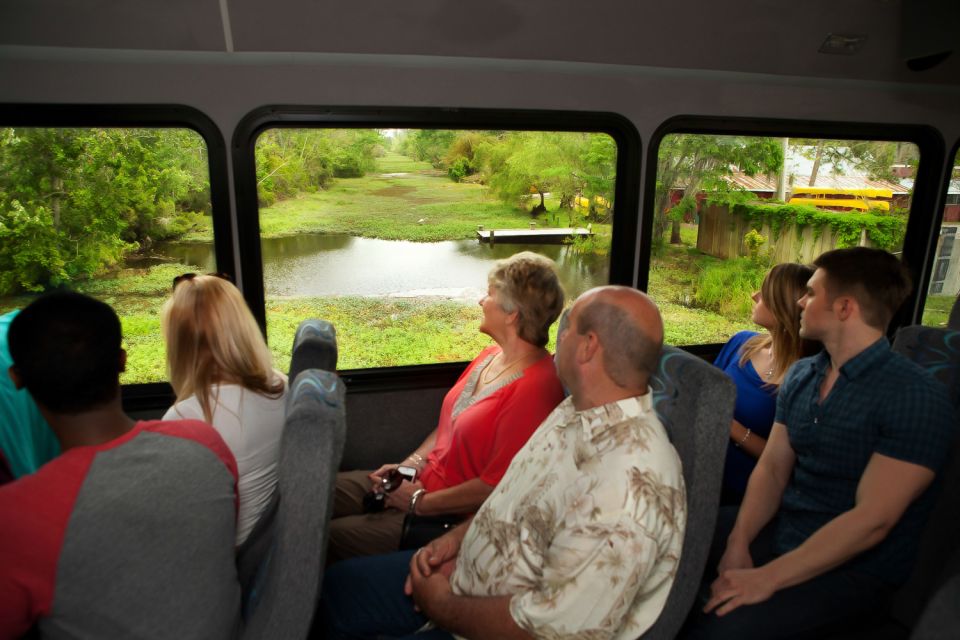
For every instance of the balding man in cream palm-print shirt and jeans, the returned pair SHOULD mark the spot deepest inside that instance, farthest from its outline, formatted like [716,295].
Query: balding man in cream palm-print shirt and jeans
[581,538]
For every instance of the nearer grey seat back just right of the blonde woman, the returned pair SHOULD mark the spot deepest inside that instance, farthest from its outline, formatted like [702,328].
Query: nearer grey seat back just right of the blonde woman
[280,599]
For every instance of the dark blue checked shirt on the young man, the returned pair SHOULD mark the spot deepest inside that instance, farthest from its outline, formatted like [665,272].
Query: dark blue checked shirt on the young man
[881,403]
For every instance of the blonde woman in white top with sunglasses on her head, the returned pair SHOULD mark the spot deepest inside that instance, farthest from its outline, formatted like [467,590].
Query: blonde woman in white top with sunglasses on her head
[221,371]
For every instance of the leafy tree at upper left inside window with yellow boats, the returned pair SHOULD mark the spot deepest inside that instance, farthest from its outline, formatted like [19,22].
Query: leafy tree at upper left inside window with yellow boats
[695,162]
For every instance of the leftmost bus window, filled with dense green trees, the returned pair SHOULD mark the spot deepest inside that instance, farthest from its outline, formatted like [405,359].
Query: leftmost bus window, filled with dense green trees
[115,213]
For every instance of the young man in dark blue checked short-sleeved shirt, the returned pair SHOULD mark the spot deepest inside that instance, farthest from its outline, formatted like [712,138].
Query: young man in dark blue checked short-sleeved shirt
[833,513]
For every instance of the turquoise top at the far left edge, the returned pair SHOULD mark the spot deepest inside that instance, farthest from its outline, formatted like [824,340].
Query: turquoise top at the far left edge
[26,442]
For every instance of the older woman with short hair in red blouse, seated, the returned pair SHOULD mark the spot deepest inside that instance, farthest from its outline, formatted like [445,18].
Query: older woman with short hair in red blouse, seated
[486,417]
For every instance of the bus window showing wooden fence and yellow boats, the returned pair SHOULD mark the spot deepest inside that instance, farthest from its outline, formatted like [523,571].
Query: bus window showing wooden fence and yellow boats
[729,207]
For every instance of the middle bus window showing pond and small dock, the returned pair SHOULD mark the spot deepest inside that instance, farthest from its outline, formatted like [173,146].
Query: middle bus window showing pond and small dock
[390,233]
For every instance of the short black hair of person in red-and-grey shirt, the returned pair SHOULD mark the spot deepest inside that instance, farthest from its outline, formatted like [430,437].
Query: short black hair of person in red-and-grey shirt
[66,348]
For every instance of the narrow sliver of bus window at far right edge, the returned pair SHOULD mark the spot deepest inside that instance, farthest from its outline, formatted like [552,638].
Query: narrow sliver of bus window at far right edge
[945,275]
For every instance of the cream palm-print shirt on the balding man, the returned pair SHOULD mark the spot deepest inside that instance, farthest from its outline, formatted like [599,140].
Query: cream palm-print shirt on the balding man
[586,527]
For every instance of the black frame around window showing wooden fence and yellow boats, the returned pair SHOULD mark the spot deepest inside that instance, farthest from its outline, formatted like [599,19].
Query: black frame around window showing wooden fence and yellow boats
[926,204]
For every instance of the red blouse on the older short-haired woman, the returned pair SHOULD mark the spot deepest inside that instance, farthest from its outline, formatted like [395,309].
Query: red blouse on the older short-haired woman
[482,439]
